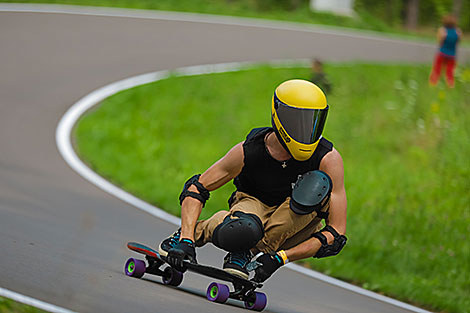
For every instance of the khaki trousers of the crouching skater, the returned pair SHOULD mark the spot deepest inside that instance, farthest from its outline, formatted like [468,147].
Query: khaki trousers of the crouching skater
[283,228]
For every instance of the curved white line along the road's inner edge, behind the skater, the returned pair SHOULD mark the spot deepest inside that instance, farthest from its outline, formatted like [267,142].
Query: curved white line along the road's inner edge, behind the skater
[63,140]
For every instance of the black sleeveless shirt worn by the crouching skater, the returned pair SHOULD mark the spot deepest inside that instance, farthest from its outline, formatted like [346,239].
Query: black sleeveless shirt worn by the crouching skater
[264,177]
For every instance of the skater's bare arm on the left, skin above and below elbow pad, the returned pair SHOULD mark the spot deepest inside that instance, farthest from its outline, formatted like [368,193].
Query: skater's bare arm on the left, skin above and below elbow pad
[221,172]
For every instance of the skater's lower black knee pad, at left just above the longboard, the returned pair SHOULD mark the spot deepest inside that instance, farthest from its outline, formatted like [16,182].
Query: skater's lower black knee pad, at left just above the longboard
[238,232]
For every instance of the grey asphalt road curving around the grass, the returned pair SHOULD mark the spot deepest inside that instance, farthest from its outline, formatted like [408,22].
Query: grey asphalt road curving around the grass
[62,239]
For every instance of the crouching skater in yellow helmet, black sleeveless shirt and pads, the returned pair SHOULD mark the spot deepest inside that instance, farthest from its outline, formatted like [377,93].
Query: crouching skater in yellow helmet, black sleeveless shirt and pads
[288,180]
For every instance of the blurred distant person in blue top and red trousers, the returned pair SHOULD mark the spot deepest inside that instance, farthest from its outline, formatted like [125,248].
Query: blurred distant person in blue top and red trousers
[447,37]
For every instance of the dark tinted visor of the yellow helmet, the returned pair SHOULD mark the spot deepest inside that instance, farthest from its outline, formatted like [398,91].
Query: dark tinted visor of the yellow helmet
[303,125]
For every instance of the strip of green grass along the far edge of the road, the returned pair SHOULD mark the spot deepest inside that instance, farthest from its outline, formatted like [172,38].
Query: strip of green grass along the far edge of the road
[249,8]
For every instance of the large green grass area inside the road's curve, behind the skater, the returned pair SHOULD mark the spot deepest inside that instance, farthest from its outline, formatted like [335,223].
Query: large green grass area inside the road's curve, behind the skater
[405,147]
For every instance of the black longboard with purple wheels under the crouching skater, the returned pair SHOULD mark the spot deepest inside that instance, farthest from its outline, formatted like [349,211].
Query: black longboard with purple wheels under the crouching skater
[244,289]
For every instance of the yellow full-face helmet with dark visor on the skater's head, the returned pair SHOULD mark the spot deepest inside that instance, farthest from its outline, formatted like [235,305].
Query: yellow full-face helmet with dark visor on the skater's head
[298,115]
